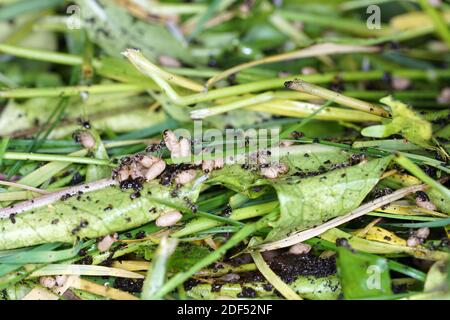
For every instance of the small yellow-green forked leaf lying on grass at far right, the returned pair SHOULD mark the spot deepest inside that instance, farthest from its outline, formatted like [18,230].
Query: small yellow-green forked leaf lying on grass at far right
[405,122]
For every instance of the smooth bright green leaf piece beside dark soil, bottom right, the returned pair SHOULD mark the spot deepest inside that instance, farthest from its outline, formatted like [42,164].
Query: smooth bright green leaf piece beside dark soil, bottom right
[362,275]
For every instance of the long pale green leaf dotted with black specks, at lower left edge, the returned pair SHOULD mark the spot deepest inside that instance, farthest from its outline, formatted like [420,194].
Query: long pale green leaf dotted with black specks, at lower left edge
[90,215]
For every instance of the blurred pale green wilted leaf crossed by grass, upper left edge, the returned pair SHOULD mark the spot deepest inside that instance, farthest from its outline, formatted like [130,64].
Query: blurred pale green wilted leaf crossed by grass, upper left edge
[104,111]
